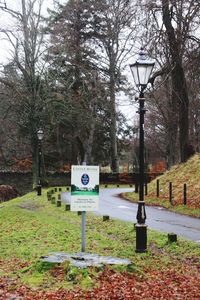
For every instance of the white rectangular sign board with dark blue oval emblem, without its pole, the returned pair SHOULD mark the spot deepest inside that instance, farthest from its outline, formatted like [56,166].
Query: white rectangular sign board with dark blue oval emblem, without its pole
[84,188]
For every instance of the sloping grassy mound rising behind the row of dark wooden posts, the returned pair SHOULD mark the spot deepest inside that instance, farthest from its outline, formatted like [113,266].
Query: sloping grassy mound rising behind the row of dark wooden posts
[186,173]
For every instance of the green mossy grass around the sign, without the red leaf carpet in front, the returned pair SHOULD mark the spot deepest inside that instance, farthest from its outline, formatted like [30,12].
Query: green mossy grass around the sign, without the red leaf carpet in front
[32,227]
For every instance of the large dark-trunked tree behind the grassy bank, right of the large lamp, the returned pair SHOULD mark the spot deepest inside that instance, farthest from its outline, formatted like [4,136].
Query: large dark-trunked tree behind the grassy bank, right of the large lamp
[168,33]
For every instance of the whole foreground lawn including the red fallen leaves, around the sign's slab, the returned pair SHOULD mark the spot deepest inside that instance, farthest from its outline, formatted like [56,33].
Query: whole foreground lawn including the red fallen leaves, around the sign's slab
[32,227]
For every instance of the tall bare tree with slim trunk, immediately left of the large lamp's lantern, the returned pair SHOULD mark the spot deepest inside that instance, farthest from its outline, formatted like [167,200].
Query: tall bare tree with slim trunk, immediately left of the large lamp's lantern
[115,35]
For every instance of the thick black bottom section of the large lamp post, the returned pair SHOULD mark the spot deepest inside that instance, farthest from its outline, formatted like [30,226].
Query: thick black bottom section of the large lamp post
[141,238]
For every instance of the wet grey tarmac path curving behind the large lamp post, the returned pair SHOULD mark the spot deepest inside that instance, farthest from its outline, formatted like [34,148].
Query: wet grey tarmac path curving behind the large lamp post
[157,218]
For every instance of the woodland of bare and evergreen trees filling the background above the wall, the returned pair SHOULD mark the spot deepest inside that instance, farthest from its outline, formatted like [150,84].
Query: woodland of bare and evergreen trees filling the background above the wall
[68,73]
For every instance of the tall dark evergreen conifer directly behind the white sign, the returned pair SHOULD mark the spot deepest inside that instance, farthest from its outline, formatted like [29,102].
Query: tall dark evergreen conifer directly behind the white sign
[75,73]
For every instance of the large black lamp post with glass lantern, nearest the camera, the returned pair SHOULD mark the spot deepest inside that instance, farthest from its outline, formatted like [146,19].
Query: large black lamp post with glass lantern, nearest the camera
[141,71]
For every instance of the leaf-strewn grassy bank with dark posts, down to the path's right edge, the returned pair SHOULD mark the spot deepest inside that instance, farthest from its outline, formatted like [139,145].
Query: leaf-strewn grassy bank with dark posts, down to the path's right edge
[179,175]
